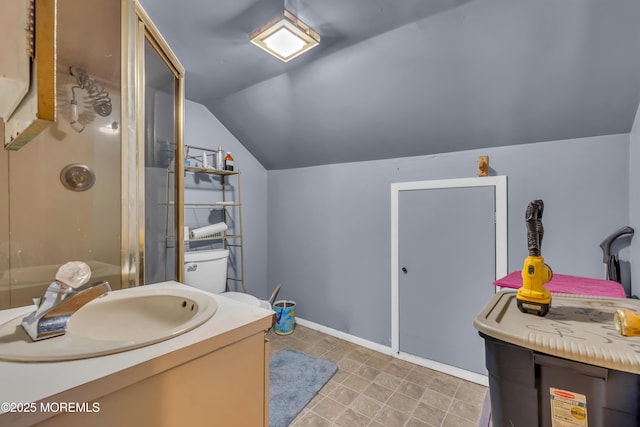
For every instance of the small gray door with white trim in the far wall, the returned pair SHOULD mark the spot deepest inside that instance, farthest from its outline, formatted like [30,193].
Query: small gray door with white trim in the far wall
[447,260]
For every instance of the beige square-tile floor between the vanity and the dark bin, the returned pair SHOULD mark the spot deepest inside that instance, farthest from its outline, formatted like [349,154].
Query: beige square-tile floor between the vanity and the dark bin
[376,390]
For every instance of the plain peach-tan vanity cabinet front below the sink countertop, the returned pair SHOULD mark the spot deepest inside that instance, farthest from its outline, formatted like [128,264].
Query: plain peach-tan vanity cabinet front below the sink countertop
[223,388]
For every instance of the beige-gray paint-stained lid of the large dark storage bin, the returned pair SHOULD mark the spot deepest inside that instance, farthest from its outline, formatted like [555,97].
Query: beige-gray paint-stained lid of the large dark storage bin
[577,327]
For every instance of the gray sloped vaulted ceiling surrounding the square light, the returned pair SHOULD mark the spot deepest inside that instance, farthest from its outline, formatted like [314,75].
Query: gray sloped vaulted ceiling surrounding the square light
[395,78]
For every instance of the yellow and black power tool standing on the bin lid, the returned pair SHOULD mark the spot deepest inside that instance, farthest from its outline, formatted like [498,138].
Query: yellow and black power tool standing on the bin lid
[533,297]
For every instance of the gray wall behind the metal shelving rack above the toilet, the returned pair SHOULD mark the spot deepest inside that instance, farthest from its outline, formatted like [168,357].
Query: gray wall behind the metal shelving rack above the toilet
[202,129]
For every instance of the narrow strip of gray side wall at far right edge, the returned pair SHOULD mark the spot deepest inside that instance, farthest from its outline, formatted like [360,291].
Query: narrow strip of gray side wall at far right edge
[634,201]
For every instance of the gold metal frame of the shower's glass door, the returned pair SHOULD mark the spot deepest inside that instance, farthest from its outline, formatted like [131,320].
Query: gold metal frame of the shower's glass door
[138,29]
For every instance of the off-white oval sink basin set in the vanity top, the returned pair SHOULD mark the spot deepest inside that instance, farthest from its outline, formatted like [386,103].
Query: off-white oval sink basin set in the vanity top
[119,321]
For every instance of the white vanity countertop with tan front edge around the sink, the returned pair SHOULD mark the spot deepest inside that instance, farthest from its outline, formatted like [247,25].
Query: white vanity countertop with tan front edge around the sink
[81,381]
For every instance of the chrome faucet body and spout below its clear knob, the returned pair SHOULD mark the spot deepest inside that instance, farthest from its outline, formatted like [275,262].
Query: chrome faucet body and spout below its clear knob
[59,303]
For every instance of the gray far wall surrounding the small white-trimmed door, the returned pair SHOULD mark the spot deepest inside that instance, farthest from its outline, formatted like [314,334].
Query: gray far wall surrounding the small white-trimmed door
[329,226]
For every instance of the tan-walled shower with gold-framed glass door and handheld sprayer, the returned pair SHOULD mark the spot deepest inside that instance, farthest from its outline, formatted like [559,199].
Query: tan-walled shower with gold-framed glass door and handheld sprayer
[97,185]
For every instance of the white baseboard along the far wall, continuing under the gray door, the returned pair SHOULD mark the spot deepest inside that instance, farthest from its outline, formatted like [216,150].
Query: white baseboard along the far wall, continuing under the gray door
[436,366]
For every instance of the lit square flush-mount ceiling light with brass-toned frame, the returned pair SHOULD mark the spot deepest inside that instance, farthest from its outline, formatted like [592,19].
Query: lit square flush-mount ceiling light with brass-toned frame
[285,37]
